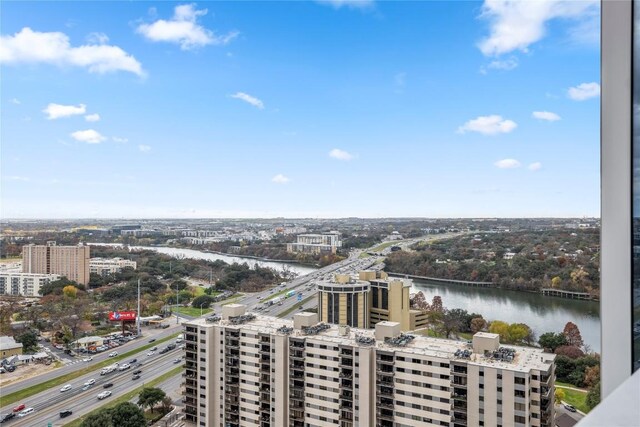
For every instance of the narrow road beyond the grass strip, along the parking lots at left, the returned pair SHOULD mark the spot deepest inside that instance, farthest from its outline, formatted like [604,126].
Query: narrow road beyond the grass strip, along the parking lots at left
[148,333]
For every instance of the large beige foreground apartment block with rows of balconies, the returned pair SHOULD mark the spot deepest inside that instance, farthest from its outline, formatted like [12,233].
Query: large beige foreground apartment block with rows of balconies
[246,370]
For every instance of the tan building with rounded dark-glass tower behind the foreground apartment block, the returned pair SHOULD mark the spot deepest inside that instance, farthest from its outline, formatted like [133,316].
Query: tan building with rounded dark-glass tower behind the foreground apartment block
[370,298]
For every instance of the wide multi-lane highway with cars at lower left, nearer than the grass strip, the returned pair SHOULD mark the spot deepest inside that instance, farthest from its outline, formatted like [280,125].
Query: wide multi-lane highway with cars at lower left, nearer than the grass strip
[49,403]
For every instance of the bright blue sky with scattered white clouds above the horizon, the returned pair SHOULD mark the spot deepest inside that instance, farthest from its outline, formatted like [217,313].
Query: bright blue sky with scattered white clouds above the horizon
[299,109]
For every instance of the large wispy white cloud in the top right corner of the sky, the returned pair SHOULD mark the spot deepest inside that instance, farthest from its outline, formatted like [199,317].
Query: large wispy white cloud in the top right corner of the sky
[516,24]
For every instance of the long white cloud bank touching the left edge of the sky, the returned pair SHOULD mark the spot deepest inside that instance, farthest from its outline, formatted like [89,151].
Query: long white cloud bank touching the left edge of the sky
[30,46]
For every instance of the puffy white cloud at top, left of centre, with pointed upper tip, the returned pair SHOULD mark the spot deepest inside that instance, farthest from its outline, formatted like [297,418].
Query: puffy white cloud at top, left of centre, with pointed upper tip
[184,30]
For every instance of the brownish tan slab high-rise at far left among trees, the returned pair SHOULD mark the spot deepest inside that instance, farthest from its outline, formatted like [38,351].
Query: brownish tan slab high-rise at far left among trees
[69,261]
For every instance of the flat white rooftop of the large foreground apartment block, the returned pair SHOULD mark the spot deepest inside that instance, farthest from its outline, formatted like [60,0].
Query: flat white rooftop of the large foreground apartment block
[526,358]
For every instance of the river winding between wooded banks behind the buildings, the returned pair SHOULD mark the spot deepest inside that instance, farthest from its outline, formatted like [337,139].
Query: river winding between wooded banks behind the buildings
[541,313]
